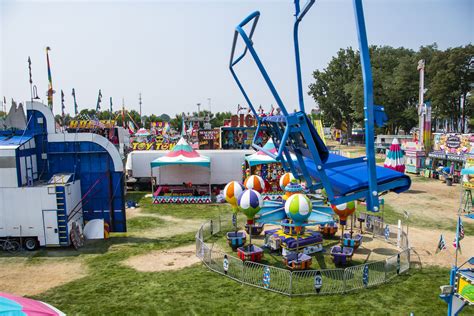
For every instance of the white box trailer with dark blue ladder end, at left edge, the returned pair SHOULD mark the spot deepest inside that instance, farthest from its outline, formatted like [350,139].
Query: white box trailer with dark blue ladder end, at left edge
[42,215]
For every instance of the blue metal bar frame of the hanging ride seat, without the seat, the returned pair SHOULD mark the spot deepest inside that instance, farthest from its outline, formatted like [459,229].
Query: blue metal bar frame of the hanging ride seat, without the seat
[296,123]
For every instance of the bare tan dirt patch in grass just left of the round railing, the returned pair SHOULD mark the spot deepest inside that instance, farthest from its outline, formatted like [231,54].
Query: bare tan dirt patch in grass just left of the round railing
[164,260]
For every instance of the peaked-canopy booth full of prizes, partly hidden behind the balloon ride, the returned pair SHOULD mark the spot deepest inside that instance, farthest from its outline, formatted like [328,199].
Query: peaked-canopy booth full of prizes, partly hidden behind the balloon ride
[267,168]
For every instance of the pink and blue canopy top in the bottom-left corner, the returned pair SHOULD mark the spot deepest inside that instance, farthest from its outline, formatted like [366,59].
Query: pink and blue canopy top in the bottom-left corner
[17,305]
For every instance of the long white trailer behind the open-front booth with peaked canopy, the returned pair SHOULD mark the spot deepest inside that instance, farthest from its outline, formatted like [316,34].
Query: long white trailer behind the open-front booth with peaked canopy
[226,165]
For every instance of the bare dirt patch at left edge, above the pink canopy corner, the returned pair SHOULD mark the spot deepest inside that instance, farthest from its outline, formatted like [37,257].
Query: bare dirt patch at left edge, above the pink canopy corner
[32,279]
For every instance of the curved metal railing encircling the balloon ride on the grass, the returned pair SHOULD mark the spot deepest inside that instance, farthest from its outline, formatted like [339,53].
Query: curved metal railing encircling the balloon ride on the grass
[306,282]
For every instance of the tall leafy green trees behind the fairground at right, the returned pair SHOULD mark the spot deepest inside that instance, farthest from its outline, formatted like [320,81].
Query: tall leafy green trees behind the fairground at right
[449,78]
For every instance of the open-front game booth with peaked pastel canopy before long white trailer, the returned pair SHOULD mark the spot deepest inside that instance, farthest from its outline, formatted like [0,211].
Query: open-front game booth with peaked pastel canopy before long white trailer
[183,176]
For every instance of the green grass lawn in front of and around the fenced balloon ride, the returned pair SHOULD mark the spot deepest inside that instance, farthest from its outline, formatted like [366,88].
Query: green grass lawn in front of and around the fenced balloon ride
[111,288]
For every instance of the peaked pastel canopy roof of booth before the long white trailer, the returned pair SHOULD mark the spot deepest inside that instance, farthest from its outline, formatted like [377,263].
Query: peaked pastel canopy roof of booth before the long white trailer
[182,154]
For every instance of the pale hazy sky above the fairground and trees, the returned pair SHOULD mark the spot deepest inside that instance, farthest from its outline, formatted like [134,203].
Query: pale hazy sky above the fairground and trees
[176,53]
